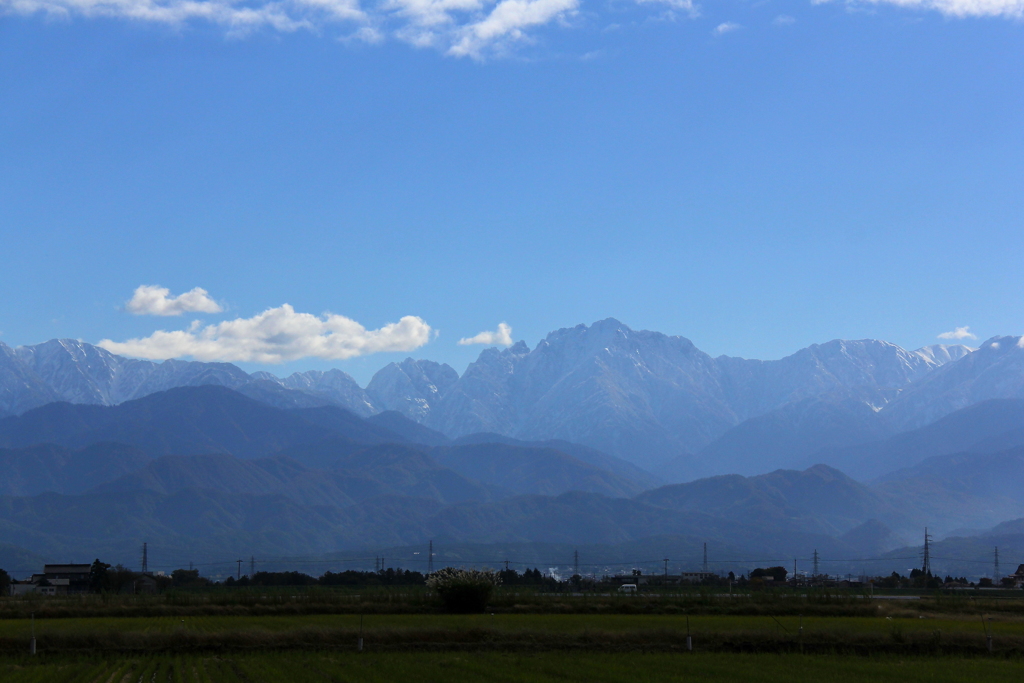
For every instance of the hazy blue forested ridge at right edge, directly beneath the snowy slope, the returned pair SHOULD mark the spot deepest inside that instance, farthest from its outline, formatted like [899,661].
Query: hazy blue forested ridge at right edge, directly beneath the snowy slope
[997,423]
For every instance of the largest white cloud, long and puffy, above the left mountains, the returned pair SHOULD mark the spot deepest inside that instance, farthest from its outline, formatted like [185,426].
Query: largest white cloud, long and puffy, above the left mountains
[277,335]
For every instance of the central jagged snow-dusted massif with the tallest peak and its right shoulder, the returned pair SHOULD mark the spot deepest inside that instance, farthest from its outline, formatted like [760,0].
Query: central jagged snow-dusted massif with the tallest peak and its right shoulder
[647,397]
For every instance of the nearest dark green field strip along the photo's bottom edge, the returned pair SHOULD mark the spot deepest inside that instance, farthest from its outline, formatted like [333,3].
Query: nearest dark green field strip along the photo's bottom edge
[491,667]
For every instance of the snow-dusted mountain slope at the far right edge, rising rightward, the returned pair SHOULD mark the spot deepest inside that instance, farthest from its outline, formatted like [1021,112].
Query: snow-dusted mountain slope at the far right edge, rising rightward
[995,371]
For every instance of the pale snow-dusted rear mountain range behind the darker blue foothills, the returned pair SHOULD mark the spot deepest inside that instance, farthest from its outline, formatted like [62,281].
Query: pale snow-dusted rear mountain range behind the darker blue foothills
[650,399]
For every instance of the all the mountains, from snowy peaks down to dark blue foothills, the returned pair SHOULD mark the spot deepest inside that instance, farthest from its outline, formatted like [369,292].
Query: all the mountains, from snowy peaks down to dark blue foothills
[600,436]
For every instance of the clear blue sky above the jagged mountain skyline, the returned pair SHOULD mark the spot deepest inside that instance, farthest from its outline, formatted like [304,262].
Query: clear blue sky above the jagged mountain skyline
[756,177]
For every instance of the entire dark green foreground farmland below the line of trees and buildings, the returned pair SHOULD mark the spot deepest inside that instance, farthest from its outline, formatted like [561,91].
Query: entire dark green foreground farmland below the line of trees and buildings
[545,639]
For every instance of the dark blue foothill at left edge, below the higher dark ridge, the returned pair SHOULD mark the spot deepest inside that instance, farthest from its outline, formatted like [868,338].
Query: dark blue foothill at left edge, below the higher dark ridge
[53,468]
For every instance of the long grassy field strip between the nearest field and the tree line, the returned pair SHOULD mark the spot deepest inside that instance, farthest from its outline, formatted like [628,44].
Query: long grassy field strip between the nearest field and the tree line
[940,634]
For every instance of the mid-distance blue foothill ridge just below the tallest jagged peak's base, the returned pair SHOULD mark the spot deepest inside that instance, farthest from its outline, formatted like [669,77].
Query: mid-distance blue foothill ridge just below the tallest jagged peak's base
[524,471]
